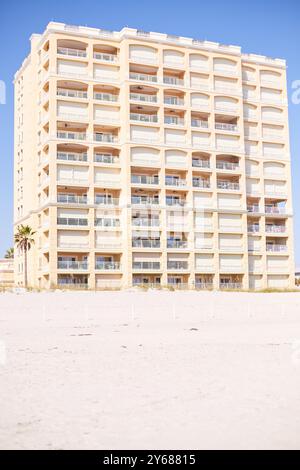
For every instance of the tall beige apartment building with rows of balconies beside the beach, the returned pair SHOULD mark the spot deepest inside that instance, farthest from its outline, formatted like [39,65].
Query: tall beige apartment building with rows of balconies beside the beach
[145,158]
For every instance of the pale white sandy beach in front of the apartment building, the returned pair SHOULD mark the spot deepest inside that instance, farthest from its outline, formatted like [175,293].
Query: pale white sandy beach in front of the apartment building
[149,370]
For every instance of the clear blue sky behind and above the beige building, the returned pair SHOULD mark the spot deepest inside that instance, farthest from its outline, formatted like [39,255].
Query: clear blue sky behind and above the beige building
[269,27]
